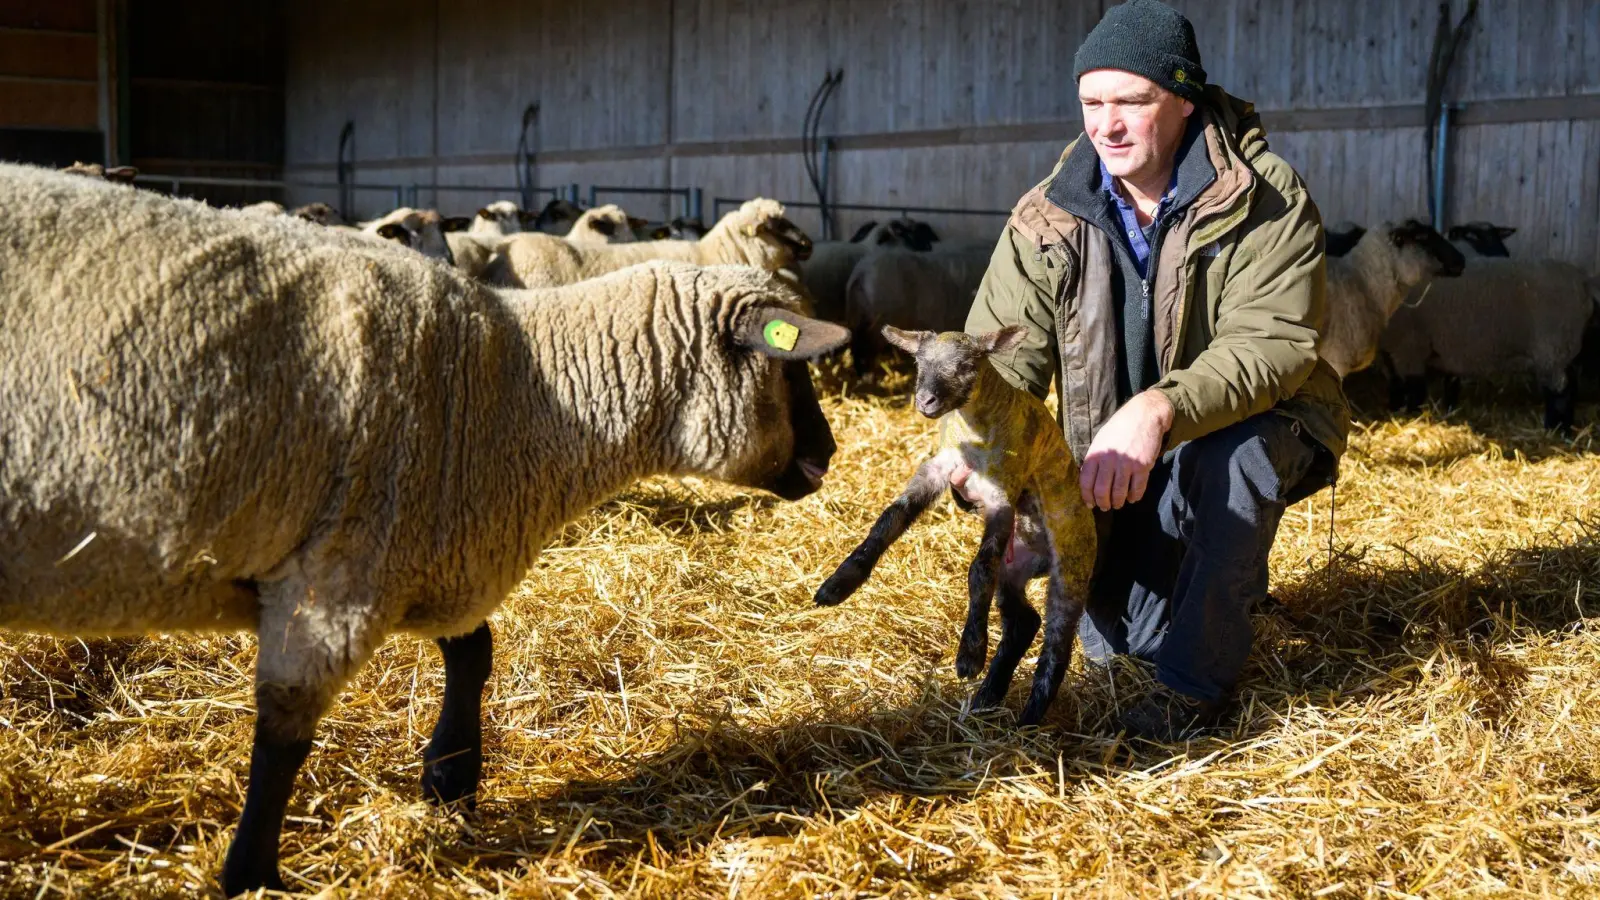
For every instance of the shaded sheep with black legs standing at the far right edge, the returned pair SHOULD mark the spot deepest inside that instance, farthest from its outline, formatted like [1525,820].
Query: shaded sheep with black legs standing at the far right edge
[1500,318]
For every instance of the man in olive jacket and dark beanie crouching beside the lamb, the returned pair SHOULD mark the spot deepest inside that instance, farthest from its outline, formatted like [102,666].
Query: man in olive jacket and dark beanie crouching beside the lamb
[1170,275]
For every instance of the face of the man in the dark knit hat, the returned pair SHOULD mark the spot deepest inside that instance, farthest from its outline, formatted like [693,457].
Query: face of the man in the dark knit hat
[1134,123]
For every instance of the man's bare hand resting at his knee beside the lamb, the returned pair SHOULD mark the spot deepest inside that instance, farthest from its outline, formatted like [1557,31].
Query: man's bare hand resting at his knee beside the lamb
[1118,467]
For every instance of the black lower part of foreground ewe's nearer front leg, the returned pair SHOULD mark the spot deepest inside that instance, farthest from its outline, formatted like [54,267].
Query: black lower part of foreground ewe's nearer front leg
[274,761]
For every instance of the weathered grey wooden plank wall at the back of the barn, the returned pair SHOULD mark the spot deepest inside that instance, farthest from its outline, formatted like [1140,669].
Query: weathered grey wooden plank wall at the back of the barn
[950,103]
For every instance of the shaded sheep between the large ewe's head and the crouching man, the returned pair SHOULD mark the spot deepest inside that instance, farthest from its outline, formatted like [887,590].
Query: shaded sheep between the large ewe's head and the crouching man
[921,292]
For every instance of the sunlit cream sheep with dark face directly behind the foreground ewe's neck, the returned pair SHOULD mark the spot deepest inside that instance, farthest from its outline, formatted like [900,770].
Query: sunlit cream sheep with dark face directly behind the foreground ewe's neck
[756,235]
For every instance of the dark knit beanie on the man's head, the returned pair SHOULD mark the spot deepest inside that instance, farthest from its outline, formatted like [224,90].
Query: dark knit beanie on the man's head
[1150,39]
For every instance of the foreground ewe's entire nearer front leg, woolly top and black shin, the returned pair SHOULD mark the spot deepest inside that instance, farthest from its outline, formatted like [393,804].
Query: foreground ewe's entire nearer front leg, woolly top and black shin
[310,645]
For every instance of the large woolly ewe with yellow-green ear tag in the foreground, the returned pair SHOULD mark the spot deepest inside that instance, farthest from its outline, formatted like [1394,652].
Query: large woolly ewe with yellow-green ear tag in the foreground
[226,422]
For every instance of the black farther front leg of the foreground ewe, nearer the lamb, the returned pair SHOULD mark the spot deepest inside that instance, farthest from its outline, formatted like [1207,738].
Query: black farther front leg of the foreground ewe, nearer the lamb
[455,757]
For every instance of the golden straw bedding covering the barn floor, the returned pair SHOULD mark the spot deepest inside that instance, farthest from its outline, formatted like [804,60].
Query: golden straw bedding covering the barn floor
[670,717]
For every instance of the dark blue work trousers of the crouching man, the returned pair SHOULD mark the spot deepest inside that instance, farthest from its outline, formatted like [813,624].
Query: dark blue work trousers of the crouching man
[1182,569]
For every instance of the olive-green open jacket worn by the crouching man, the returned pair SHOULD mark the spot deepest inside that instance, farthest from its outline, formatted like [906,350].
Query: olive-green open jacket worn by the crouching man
[1238,303]
